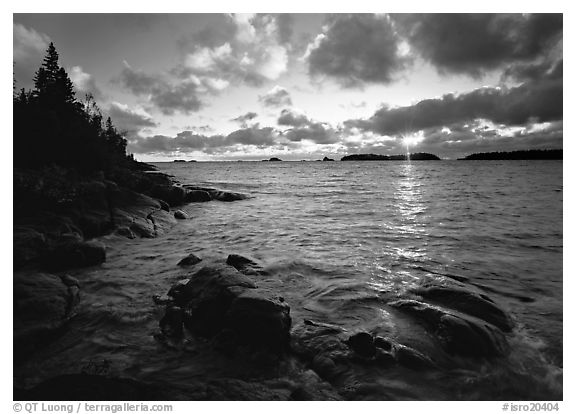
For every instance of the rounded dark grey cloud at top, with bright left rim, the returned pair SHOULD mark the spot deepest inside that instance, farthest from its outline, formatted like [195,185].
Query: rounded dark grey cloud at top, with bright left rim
[357,49]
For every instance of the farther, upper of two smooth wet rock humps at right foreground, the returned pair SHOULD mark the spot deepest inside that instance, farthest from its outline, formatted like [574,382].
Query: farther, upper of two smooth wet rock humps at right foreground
[468,302]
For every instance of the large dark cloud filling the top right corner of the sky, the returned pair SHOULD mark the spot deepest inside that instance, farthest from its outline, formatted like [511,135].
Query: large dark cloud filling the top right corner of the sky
[474,43]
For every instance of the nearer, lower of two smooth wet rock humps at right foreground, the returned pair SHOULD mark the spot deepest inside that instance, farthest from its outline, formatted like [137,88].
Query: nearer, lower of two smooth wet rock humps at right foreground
[458,333]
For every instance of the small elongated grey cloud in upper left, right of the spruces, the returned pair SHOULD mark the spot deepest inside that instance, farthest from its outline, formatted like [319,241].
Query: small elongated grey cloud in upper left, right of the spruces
[168,98]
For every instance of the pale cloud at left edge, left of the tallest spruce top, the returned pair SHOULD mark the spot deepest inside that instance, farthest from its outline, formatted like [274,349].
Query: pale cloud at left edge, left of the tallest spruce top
[29,48]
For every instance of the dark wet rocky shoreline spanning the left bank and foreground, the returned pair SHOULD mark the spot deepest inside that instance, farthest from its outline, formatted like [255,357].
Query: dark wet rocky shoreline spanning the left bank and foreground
[220,310]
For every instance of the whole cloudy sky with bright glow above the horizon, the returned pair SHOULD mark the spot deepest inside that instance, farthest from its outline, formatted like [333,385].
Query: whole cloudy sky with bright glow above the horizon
[305,86]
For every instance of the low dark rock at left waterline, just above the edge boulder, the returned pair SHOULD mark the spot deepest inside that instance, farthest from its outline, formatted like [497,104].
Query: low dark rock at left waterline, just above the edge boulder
[74,254]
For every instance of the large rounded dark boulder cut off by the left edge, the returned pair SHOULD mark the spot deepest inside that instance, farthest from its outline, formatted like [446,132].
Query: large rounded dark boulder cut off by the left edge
[42,306]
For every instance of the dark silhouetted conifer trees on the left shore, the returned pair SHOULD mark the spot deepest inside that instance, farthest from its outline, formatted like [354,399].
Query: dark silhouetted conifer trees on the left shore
[52,127]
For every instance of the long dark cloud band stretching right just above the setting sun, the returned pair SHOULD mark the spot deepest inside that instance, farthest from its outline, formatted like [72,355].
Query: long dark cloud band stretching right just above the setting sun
[539,101]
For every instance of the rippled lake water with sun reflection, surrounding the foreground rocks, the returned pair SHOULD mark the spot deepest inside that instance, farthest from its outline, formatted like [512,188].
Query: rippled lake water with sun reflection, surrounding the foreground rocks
[339,239]
